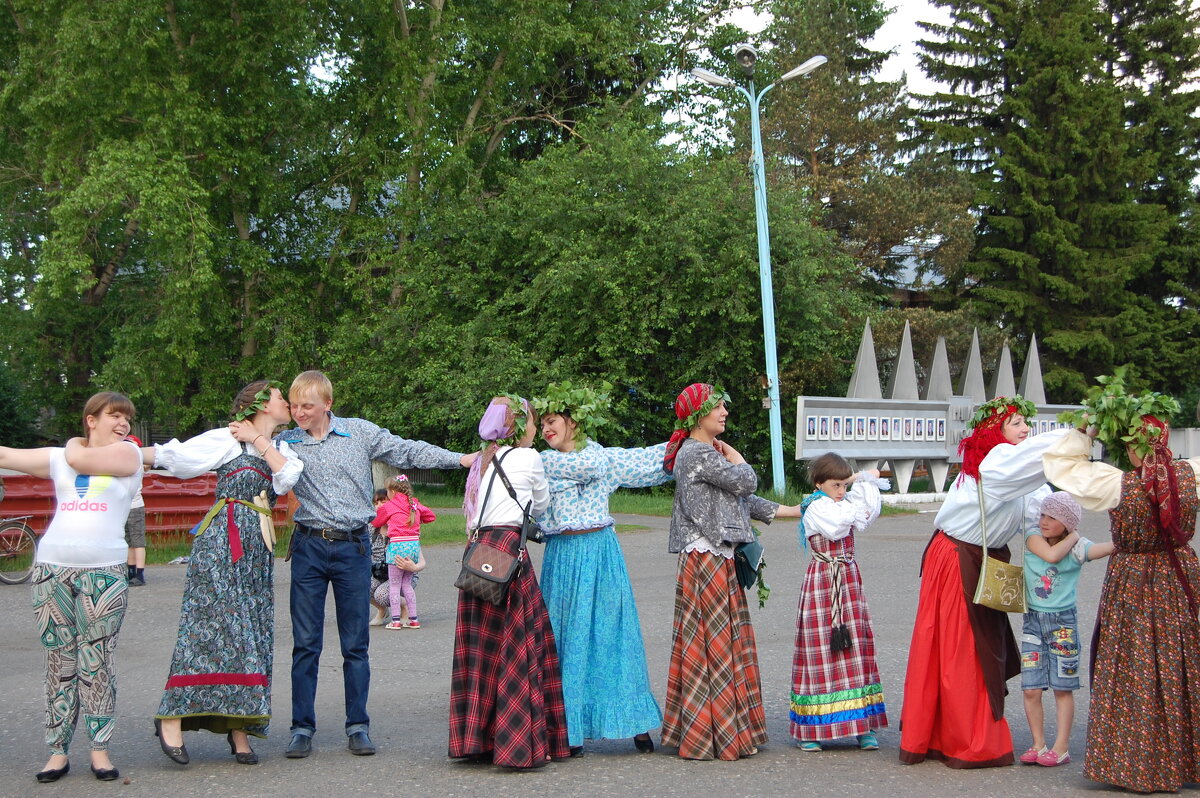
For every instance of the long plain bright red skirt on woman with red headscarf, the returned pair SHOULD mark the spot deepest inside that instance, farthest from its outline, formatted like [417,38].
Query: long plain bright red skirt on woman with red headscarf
[946,713]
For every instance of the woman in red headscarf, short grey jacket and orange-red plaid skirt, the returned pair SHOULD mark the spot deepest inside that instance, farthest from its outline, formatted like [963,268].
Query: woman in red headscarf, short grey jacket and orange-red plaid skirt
[715,693]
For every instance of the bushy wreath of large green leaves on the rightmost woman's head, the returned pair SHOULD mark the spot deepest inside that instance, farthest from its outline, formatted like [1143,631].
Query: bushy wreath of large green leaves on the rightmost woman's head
[1117,413]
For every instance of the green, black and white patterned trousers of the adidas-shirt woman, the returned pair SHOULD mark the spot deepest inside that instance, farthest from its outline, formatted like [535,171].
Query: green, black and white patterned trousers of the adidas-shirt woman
[79,614]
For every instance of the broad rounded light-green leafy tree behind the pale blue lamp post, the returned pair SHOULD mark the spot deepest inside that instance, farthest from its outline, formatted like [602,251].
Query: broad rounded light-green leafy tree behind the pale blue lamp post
[615,260]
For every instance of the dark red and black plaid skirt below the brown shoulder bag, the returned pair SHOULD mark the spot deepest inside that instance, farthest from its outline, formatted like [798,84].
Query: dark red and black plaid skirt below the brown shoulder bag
[507,689]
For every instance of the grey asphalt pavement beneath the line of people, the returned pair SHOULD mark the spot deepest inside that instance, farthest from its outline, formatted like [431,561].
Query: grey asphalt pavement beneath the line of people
[411,686]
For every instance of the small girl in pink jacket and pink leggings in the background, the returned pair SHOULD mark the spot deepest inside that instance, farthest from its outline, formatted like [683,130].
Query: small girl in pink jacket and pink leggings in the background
[403,515]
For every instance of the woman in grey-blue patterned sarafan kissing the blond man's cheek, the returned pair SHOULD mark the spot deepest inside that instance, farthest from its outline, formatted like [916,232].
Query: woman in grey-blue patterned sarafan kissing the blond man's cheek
[221,671]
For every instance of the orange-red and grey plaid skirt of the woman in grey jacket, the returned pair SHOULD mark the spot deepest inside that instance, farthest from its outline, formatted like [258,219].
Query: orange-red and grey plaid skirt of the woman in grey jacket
[715,692]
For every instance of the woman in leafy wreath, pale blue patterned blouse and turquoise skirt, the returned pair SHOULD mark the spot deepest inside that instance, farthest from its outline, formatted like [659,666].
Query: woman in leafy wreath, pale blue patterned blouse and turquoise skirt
[607,686]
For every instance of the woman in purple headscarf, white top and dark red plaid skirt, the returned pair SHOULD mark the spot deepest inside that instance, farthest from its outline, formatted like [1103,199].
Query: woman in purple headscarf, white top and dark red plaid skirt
[507,689]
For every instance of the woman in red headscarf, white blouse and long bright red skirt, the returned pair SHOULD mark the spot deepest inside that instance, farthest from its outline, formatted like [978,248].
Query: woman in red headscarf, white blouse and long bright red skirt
[962,653]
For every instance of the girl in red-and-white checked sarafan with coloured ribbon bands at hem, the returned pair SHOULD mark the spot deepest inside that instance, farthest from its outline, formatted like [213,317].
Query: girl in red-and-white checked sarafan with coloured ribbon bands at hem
[836,681]
